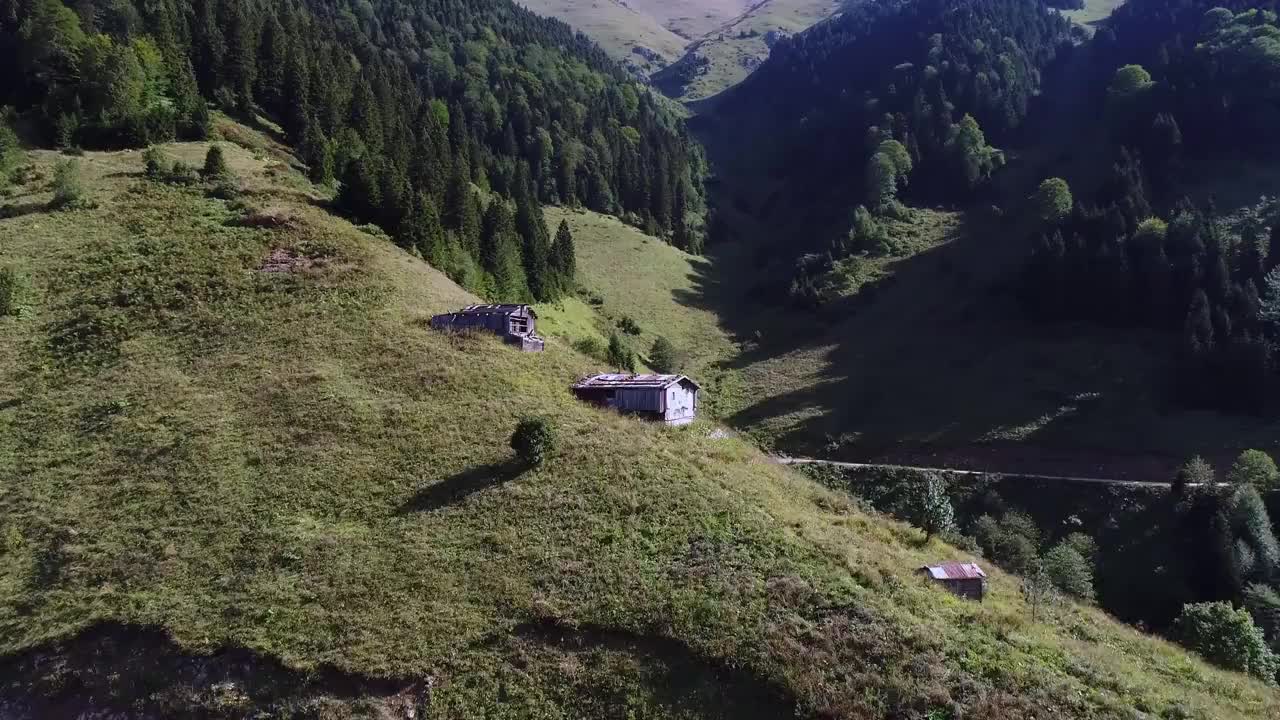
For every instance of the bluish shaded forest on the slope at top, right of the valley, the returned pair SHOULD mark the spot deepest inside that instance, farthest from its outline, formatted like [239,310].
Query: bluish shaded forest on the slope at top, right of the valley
[886,101]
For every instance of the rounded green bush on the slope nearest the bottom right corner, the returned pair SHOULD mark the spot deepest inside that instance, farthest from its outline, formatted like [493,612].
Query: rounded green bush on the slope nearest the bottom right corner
[1228,637]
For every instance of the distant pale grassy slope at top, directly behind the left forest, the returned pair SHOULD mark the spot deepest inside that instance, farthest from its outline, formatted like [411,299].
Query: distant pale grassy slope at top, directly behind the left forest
[619,29]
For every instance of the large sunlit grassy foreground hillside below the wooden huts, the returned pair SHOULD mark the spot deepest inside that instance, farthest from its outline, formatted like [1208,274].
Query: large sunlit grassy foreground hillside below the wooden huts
[244,476]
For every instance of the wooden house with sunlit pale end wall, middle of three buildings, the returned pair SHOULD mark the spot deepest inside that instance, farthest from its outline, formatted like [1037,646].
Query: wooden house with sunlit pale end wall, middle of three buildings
[666,399]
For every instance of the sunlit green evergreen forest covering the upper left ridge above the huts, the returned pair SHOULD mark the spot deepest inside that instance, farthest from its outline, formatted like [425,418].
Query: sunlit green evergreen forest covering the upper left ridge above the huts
[409,106]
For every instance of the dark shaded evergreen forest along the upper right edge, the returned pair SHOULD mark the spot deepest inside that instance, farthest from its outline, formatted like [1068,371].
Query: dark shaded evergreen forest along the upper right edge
[1140,254]
